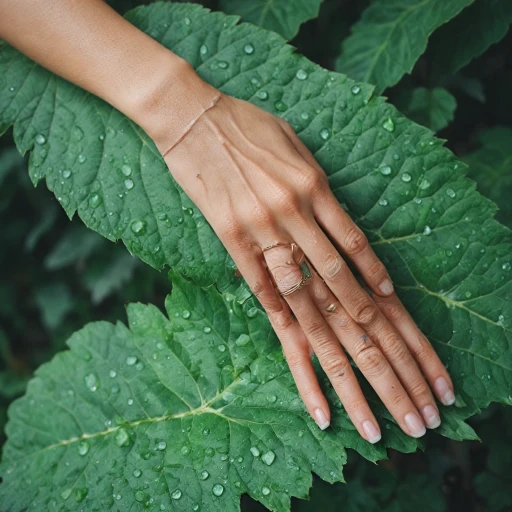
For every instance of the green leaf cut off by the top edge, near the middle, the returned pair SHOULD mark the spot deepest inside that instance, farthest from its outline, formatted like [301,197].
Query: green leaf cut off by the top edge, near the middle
[282,16]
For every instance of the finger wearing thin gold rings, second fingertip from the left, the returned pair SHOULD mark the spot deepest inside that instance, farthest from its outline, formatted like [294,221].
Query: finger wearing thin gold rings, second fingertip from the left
[332,358]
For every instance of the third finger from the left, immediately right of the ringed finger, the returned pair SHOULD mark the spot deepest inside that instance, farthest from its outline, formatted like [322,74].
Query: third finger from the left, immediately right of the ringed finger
[369,359]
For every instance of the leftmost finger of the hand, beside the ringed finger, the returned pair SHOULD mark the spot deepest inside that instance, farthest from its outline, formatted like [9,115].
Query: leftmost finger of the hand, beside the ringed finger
[295,344]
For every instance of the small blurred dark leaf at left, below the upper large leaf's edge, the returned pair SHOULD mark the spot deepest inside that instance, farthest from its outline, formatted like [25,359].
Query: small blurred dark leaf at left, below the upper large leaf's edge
[77,244]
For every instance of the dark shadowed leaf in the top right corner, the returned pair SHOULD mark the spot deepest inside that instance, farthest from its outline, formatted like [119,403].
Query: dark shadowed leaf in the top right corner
[469,35]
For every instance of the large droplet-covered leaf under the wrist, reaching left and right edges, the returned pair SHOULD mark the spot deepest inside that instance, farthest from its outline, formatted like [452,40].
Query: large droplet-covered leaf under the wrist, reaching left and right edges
[449,259]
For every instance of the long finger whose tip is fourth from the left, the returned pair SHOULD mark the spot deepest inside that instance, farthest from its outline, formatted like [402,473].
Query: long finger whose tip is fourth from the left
[365,312]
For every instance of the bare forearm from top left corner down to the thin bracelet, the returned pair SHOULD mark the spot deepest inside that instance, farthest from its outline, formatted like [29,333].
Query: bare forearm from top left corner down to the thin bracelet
[89,44]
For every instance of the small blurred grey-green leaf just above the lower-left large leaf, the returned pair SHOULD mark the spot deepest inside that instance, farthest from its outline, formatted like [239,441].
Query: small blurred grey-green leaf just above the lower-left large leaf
[105,279]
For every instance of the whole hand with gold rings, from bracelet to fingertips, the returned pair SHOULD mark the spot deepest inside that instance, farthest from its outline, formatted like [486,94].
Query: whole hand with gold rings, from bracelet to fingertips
[258,185]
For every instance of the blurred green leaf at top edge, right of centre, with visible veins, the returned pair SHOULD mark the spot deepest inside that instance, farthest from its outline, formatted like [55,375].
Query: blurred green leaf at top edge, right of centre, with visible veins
[391,36]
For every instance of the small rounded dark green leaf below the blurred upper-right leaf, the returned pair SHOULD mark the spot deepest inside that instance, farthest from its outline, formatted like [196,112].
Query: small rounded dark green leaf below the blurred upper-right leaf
[433,108]
